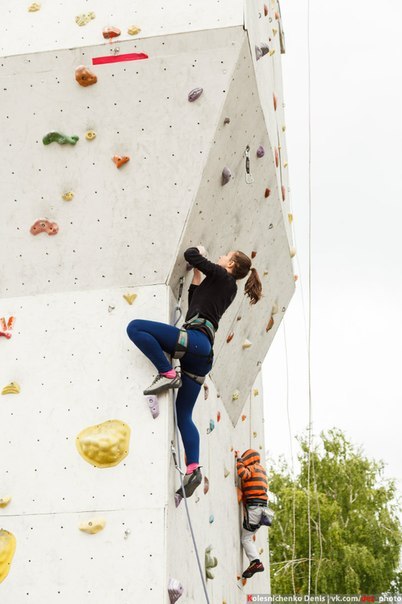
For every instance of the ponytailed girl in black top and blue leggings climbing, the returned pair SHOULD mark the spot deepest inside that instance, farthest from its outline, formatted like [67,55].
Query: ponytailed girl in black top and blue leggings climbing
[207,301]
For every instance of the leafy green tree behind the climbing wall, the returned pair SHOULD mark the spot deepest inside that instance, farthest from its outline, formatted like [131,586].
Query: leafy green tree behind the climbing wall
[355,531]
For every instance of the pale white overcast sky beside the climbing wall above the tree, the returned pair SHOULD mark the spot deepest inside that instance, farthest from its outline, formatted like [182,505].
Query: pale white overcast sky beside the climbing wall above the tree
[356,108]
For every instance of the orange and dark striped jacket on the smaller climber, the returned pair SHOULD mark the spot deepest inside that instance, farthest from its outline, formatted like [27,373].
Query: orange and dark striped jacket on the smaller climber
[254,482]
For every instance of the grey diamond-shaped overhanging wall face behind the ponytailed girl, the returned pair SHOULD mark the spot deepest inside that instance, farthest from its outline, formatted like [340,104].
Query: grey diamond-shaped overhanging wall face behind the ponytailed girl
[247,216]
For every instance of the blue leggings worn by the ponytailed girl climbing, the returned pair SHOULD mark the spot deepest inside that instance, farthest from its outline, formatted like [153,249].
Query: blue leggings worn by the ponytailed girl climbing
[154,339]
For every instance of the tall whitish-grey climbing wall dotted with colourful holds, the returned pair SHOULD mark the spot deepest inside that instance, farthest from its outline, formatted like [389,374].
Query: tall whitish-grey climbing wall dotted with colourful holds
[177,142]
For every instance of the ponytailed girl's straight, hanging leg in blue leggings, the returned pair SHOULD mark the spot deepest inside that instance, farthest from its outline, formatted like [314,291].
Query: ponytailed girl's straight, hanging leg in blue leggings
[186,397]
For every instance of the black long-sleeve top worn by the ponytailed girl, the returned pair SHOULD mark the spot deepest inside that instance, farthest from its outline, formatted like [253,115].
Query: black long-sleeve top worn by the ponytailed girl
[214,295]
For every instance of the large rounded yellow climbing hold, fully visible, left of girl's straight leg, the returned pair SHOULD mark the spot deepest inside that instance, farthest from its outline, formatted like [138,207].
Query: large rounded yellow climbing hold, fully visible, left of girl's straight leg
[104,445]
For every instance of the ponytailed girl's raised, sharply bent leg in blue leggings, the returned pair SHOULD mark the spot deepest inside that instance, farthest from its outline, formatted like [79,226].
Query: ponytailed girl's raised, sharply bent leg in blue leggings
[153,339]
